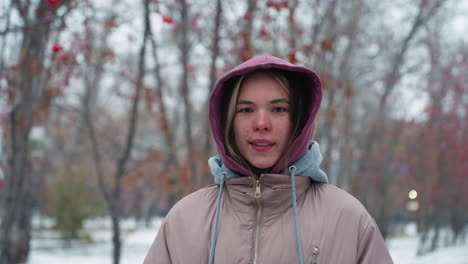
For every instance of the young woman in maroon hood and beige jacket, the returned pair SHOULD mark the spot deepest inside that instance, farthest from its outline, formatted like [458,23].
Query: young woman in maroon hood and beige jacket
[271,202]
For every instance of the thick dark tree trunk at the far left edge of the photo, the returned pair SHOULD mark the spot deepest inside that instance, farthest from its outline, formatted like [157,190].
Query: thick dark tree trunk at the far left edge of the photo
[29,90]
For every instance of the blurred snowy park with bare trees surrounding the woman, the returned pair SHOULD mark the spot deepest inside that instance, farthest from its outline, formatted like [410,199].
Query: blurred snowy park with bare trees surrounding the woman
[103,112]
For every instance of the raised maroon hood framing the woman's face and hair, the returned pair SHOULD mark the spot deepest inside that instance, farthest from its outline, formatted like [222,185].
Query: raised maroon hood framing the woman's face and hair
[301,143]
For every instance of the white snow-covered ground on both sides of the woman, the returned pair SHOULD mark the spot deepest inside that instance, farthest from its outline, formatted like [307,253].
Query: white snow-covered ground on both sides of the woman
[47,248]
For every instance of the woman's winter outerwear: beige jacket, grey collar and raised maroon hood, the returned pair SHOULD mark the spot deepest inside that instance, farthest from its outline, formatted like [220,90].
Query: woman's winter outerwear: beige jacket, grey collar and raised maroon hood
[290,215]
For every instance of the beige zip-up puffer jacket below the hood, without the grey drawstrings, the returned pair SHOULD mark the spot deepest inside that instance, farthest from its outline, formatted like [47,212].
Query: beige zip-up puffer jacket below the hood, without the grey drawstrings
[334,226]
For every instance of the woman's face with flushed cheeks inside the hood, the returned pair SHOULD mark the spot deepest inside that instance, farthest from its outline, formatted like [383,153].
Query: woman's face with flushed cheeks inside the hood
[262,123]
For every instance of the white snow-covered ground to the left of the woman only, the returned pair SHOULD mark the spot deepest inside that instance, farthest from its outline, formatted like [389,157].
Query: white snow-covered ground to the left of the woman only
[136,241]
